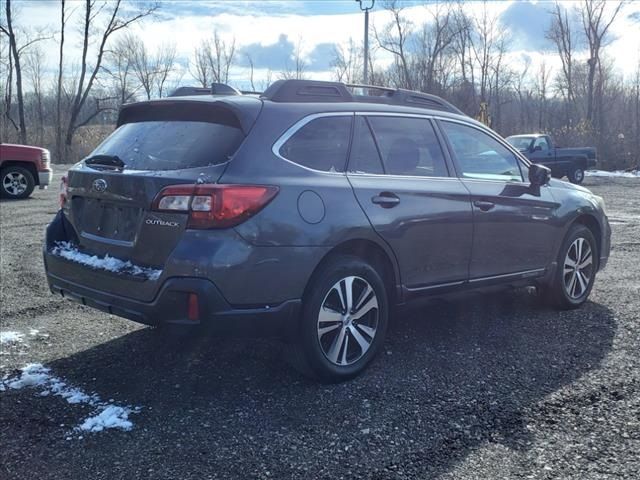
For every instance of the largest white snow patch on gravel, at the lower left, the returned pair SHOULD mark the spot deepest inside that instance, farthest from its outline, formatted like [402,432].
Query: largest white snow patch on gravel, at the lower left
[107,415]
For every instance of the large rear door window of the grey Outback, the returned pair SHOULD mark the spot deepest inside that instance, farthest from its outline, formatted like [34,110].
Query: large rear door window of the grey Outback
[409,146]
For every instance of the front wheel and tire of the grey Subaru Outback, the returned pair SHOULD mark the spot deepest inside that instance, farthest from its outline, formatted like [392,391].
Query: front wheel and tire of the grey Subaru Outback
[576,269]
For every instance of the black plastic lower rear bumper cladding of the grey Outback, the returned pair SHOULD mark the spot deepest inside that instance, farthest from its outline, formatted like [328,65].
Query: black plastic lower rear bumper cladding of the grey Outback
[171,306]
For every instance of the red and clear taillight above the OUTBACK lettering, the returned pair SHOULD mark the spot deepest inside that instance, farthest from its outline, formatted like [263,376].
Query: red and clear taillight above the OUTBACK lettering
[214,206]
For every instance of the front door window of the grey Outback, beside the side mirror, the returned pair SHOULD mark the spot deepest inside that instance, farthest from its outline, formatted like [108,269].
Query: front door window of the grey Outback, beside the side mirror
[481,156]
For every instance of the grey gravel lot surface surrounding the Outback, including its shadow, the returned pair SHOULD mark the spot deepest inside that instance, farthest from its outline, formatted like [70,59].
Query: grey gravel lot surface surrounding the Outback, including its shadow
[478,387]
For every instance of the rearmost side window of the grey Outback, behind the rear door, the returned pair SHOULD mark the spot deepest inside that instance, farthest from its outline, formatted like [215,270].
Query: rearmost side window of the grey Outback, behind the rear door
[322,144]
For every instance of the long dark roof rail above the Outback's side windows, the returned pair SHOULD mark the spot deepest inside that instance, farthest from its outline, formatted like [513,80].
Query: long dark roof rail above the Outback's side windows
[321,91]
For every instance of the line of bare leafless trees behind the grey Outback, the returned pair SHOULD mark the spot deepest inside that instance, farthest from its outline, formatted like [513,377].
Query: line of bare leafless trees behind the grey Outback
[460,56]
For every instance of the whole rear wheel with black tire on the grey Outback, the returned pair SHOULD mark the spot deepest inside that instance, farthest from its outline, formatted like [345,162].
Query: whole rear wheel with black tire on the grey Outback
[340,333]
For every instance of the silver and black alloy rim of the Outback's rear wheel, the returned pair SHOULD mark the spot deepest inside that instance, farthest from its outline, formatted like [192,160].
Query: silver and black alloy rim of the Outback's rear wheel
[348,320]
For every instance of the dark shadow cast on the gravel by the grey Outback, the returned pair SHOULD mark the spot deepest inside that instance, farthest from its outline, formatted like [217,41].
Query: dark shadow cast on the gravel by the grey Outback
[453,376]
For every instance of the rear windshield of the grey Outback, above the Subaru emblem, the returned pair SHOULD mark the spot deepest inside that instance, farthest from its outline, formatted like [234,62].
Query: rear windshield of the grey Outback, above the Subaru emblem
[171,144]
